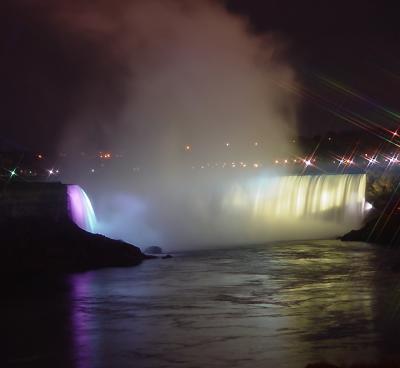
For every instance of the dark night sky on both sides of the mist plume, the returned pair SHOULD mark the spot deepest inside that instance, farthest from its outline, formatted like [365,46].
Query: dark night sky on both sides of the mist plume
[355,43]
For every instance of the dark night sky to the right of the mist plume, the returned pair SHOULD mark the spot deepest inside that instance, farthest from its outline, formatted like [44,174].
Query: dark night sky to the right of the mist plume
[353,42]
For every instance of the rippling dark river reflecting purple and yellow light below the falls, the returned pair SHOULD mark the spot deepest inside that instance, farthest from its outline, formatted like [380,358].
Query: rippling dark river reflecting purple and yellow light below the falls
[276,305]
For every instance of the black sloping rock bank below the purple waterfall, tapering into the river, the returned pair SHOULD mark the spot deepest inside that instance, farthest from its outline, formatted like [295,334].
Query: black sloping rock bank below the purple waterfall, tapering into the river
[36,246]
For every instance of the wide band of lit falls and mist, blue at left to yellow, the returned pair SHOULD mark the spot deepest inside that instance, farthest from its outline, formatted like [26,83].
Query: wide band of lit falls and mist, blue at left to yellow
[225,209]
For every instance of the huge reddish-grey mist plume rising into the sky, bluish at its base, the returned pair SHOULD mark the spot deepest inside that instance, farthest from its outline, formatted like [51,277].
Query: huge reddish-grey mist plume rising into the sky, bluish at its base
[190,102]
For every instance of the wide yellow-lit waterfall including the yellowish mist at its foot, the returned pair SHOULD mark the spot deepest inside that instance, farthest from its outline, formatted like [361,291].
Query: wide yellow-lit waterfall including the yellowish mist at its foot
[308,206]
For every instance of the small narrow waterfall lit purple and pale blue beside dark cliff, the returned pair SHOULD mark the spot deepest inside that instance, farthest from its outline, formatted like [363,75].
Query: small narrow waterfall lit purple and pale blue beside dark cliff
[80,208]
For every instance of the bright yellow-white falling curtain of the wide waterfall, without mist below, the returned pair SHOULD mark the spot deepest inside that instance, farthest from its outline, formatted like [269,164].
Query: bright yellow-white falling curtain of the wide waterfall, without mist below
[329,197]
